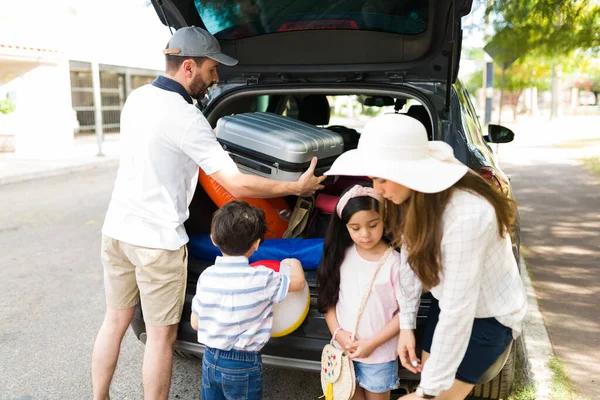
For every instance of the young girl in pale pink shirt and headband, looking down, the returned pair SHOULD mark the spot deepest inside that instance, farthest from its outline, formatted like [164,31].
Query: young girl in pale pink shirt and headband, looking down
[353,248]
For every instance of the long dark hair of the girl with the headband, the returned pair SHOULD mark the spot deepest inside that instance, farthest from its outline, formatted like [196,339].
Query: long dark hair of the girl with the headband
[337,241]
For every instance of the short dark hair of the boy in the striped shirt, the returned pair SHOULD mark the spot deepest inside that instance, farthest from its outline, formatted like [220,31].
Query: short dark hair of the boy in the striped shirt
[236,226]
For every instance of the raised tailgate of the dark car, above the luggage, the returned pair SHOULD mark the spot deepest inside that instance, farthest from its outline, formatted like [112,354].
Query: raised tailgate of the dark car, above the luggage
[312,40]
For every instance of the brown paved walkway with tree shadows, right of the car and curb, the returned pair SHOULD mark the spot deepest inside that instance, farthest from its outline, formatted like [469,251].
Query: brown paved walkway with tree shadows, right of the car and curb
[560,221]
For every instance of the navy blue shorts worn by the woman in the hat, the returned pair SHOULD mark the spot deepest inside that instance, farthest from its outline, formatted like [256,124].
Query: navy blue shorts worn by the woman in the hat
[489,339]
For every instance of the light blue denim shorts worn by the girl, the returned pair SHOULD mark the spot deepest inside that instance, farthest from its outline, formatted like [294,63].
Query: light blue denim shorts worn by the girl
[377,378]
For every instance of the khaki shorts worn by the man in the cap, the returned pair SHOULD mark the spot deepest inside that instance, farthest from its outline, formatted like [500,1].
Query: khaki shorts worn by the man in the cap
[157,277]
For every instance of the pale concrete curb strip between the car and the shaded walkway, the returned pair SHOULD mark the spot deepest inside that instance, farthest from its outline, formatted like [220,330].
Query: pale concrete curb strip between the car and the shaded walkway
[534,344]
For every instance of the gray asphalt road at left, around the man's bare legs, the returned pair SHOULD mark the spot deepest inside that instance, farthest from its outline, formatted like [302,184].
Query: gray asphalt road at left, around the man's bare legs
[52,299]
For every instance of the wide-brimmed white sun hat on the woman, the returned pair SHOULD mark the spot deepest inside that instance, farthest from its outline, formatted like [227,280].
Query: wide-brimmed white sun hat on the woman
[395,147]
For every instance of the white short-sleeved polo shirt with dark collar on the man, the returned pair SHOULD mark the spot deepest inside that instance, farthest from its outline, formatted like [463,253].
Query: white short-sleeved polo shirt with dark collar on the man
[164,139]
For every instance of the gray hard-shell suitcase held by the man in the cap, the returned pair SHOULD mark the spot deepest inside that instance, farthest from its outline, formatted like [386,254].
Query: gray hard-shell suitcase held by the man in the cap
[277,147]
